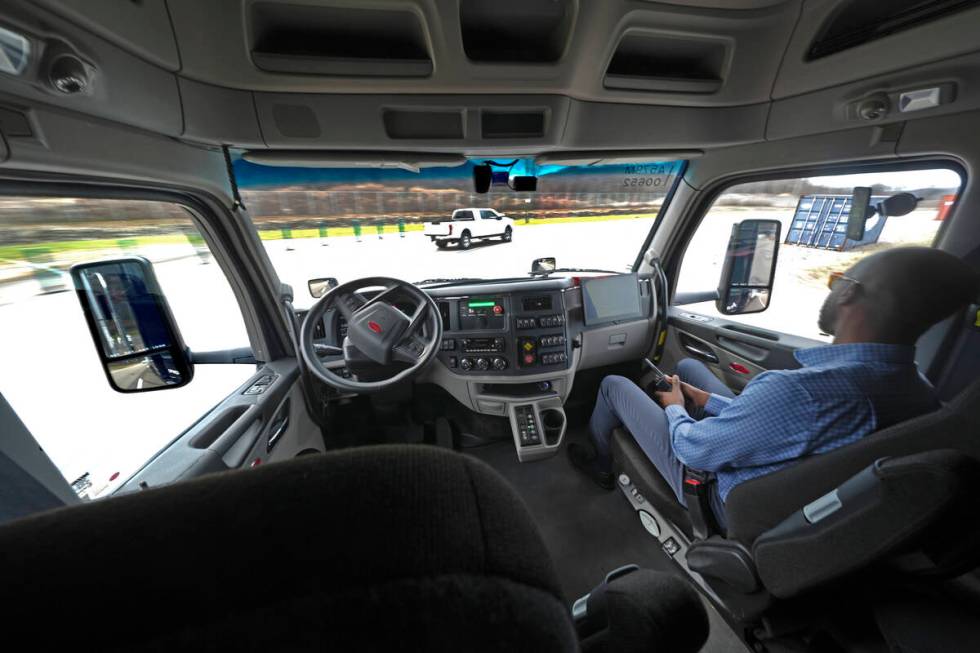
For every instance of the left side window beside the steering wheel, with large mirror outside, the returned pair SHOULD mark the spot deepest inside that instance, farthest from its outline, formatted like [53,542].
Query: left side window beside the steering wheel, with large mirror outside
[50,371]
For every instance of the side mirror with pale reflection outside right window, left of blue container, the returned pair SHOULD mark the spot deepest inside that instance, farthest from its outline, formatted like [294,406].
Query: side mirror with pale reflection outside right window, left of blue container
[750,266]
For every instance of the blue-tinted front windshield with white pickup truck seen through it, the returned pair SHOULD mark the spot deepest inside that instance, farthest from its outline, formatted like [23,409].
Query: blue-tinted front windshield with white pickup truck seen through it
[417,226]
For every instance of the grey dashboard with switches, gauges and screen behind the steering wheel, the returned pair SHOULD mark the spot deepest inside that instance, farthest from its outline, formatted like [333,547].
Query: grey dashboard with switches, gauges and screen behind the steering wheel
[512,348]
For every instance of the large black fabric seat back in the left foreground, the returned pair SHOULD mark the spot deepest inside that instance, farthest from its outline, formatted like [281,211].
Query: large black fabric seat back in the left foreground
[382,548]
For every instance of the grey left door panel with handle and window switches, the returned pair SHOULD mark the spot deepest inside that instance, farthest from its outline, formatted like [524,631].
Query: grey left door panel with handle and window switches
[264,420]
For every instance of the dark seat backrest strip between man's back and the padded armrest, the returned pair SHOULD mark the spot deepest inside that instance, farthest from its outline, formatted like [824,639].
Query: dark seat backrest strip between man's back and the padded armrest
[757,505]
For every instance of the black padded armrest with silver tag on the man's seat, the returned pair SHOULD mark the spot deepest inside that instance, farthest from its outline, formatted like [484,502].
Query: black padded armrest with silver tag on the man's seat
[917,513]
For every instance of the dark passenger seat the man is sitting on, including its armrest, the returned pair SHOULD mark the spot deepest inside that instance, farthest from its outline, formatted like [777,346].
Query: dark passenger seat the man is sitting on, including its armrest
[874,504]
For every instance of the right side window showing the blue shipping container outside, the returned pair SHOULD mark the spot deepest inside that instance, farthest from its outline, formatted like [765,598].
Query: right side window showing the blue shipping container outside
[812,242]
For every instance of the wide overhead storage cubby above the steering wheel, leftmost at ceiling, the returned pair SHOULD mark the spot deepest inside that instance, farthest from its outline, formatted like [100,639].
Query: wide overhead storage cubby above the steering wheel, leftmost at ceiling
[338,41]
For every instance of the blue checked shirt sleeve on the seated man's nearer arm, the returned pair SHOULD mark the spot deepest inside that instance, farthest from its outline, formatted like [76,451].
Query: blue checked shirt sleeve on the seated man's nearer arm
[769,422]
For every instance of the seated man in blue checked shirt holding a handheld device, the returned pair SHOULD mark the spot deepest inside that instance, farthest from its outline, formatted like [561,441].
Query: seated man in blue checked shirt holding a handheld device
[865,381]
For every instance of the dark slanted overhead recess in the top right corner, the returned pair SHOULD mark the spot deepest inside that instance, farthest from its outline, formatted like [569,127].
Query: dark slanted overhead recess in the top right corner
[858,22]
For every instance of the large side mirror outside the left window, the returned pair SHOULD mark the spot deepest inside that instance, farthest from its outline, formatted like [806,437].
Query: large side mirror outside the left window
[134,331]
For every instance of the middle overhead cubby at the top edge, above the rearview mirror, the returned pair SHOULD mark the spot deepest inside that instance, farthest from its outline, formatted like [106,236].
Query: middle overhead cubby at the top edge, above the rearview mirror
[515,31]
